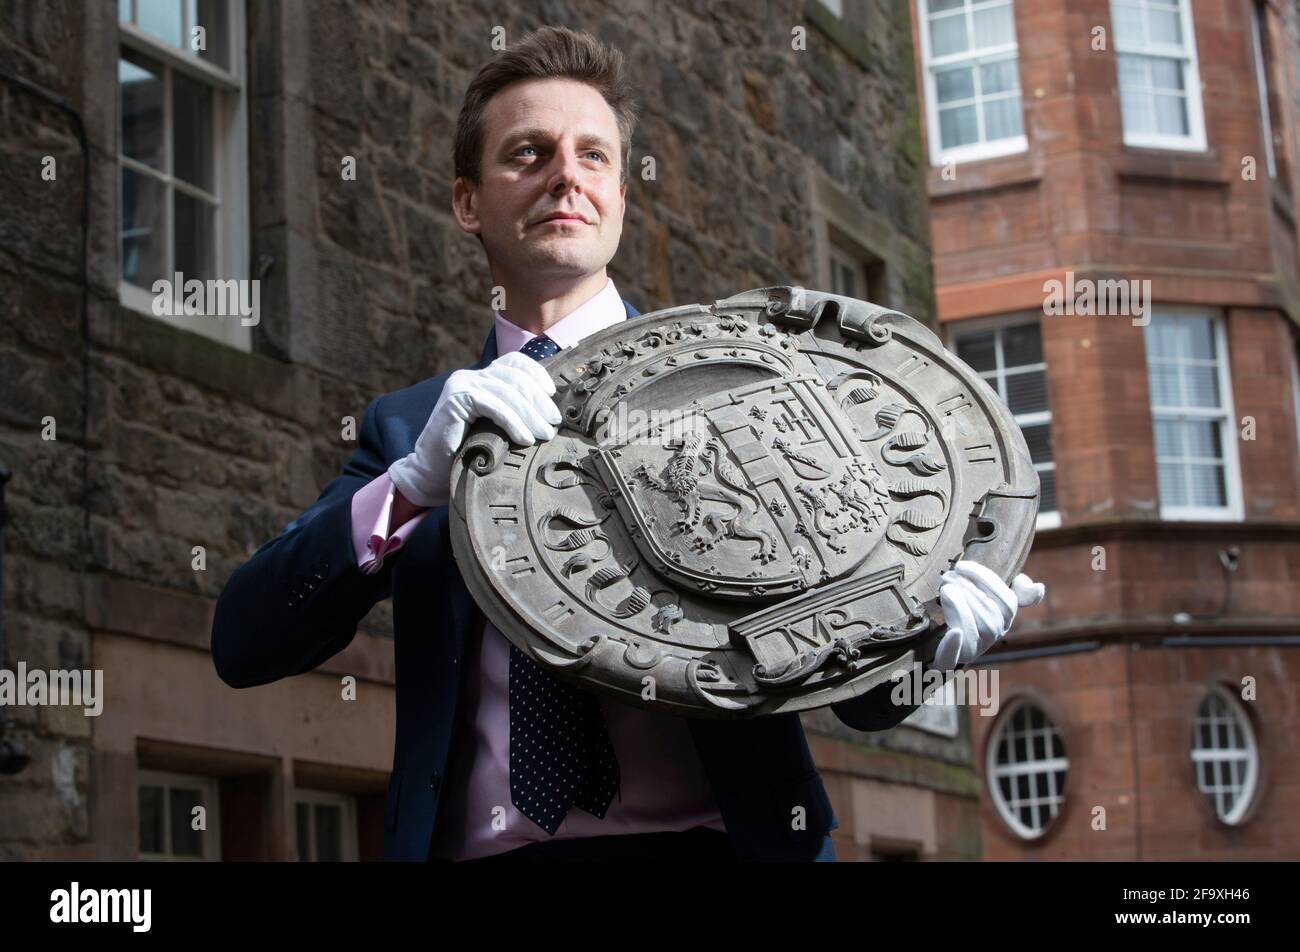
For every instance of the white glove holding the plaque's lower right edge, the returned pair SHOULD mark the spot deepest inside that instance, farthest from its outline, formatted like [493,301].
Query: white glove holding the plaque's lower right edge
[980,608]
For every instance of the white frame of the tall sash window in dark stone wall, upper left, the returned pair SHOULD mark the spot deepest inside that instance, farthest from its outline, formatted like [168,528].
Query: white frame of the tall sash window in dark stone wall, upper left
[231,171]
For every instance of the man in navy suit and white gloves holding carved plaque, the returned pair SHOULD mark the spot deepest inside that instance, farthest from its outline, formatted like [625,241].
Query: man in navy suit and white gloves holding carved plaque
[495,758]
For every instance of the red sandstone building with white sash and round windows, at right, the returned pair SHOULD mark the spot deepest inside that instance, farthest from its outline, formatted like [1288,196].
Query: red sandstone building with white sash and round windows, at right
[1150,706]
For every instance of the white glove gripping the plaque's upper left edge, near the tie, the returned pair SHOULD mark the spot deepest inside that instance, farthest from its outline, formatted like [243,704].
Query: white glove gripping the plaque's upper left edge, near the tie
[514,392]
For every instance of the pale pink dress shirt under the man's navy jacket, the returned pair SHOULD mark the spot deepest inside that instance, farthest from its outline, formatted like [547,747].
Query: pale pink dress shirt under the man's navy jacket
[664,784]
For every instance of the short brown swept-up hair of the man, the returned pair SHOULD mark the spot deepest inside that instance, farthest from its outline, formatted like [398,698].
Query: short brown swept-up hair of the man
[547,53]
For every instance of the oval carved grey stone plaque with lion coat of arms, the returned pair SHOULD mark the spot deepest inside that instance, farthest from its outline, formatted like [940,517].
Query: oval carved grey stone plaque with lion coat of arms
[748,507]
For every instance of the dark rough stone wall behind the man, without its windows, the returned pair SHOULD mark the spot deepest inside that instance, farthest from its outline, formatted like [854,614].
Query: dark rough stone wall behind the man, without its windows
[167,440]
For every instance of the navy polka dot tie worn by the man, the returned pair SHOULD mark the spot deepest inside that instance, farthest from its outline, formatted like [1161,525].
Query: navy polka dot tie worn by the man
[561,755]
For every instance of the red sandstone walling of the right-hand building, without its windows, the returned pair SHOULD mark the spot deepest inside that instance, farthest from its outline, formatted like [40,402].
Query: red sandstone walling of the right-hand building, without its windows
[1080,201]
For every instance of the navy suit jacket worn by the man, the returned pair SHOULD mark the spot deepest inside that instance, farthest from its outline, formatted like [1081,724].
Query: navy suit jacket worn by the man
[298,602]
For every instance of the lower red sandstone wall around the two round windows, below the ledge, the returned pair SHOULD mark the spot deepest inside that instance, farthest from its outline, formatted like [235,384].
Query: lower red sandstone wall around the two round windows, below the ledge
[1126,721]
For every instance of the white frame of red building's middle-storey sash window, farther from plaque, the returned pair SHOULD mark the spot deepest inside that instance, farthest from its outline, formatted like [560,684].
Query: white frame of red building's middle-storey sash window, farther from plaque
[1233,510]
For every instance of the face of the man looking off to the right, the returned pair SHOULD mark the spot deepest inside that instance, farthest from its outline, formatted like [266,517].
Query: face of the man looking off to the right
[551,148]
